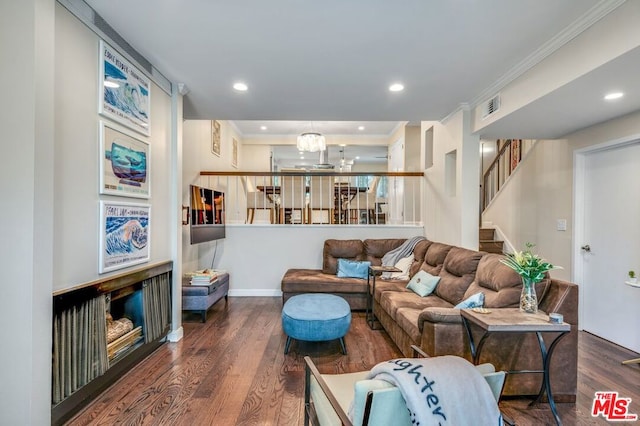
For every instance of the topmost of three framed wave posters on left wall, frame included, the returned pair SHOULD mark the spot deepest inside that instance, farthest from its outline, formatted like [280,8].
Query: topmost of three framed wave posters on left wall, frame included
[124,91]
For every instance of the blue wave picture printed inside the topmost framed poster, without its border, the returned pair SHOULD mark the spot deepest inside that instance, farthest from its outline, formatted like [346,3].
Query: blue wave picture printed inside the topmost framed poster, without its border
[129,97]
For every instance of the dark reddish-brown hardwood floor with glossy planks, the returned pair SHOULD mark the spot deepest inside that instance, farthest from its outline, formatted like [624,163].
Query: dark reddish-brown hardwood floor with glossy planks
[232,371]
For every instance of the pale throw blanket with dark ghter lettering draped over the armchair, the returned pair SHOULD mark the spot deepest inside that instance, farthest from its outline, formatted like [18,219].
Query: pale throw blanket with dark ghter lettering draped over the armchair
[444,390]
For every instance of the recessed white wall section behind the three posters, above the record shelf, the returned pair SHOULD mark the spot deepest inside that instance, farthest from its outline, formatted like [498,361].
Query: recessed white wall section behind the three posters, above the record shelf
[76,158]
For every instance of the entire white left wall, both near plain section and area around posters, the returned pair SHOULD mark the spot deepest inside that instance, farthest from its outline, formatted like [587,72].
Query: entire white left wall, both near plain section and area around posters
[50,176]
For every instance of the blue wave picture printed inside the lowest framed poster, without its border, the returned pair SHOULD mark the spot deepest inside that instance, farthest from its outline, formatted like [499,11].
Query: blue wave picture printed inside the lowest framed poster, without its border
[125,234]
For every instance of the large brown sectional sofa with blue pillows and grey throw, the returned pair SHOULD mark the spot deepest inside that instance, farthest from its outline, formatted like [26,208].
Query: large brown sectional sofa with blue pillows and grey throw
[433,324]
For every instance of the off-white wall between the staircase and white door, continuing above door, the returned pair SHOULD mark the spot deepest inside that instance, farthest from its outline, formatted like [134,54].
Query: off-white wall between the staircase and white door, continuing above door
[541,191]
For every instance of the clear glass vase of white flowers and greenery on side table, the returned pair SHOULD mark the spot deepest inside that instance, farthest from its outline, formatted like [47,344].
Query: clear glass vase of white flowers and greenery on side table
[532,269]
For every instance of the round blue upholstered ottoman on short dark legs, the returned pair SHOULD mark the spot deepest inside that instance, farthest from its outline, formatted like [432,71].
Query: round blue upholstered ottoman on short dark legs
[316,317]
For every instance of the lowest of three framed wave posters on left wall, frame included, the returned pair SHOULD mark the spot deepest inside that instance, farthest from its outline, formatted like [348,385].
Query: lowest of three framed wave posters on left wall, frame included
[124,235]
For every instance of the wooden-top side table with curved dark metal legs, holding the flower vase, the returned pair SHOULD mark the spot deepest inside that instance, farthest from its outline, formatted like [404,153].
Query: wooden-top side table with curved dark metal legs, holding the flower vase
[511,320]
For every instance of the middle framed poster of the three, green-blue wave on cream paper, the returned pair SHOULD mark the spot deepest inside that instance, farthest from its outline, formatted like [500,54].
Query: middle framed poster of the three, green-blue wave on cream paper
[124,163]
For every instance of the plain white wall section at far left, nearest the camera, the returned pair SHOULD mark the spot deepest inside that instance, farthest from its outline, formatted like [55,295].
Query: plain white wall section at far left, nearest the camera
[26,228]
